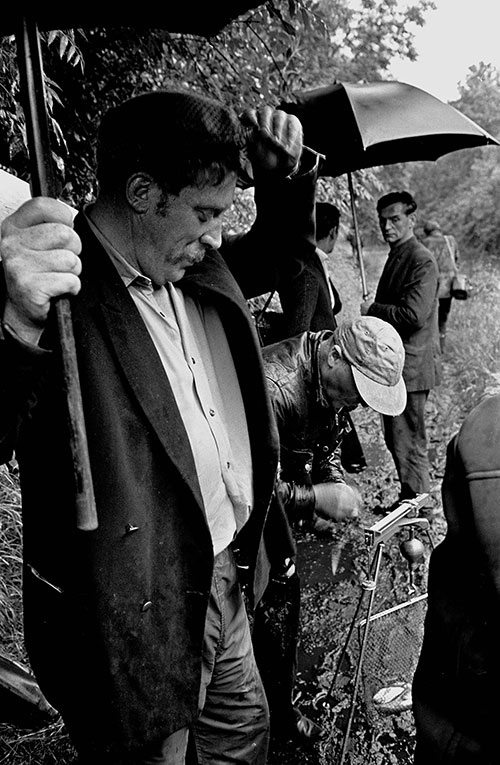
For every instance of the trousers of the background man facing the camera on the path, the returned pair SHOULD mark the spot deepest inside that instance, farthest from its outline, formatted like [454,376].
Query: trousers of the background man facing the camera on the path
[406,439]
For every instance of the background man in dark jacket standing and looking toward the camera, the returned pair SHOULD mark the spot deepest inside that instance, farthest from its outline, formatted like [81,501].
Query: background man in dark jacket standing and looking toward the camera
[406,297]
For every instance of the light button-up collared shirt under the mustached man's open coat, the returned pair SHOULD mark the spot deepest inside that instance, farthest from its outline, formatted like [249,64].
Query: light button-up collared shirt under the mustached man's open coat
[195,354]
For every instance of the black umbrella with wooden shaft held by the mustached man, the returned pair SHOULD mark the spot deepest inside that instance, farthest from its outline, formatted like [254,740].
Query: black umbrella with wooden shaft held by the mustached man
[25,21]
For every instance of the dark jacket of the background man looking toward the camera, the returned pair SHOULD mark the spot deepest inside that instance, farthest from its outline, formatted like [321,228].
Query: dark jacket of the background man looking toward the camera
[406,297]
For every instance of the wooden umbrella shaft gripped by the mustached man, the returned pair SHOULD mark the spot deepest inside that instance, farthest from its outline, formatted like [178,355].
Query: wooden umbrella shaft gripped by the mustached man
[43,184]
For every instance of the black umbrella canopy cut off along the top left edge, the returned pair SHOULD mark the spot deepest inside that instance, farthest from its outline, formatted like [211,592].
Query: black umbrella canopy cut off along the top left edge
[194,16]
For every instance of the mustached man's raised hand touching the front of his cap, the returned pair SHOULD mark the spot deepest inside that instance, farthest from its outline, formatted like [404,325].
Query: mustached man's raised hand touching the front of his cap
[276,140]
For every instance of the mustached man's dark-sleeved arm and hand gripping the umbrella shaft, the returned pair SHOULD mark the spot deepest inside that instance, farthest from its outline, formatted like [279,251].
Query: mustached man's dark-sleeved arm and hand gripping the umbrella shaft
[39,253]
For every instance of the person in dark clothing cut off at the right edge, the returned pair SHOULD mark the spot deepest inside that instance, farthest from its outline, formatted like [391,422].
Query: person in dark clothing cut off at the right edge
[455,687]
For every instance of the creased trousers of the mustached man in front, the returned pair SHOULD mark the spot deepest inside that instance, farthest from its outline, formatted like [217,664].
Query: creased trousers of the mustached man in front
[233,726]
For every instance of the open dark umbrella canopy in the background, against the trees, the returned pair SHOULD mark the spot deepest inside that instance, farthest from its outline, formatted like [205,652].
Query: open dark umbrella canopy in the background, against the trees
[381,123]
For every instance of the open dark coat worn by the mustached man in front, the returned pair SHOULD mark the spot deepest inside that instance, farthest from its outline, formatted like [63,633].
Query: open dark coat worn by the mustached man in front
[114,618]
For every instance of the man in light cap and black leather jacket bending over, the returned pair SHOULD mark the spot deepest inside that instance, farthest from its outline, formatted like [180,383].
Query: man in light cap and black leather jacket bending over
[314,380]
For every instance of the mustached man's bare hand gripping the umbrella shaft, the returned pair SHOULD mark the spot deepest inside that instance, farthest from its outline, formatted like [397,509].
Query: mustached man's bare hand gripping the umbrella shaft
[39,250]
